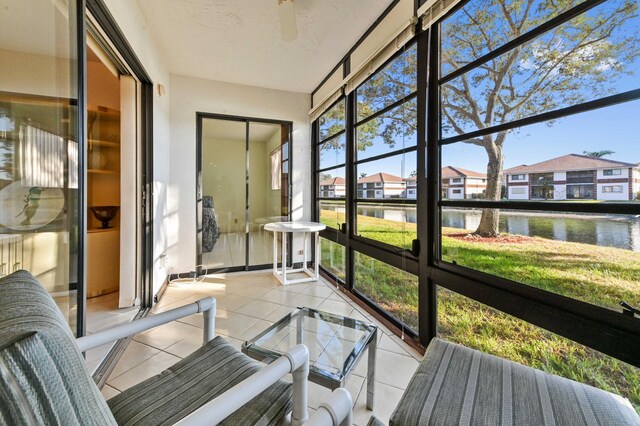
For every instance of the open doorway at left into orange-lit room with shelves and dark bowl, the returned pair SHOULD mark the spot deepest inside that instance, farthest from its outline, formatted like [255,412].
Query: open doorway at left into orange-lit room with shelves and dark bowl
[114,235]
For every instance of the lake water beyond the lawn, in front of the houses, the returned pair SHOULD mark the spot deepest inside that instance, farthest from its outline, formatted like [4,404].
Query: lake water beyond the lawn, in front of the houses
[621,231]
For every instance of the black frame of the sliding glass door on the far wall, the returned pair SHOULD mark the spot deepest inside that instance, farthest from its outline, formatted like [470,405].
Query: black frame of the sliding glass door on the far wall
[200,117]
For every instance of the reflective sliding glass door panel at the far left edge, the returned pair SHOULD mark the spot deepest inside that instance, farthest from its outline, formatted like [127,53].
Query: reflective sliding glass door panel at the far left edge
[40,179]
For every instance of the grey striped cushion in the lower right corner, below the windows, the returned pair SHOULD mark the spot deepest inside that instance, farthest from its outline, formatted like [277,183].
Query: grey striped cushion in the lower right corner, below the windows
[458,385]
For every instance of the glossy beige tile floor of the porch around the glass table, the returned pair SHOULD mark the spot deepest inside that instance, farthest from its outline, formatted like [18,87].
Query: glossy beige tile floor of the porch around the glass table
[248,302]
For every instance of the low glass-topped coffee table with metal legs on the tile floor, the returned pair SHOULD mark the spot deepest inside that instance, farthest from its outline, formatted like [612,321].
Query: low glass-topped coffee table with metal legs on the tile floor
[335,344]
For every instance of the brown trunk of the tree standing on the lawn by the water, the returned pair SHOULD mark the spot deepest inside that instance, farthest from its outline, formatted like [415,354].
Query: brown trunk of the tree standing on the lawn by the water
[489,220]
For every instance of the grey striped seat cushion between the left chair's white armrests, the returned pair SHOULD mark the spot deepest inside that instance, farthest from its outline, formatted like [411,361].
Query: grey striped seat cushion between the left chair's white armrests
[196,380]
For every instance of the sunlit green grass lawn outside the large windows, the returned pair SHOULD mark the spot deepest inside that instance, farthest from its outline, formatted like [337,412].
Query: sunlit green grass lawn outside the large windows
[598,275]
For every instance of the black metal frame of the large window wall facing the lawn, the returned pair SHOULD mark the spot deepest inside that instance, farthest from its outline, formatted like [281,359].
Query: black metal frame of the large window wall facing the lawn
[603,329]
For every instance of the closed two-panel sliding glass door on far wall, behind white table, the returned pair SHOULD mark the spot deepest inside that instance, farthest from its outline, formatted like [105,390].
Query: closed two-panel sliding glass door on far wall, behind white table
[243,183]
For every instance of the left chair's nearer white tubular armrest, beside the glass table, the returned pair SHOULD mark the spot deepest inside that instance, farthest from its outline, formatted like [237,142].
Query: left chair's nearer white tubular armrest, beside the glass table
[295,361]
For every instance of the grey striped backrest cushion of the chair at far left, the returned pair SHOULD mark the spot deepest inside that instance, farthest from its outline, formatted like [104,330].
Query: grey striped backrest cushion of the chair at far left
[43,377]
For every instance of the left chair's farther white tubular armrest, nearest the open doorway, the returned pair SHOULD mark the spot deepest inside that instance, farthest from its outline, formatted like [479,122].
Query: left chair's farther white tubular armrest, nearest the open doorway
[206,305]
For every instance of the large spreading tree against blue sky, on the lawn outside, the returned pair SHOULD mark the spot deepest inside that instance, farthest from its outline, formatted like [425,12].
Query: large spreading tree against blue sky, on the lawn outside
[575,62]
